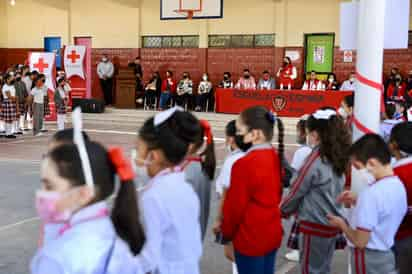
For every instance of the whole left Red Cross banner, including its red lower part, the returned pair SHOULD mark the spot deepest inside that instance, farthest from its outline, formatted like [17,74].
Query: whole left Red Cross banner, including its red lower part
[45,63]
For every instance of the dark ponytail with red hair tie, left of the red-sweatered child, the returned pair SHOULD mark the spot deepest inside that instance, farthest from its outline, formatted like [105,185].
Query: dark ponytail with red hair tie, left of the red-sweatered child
[208,155]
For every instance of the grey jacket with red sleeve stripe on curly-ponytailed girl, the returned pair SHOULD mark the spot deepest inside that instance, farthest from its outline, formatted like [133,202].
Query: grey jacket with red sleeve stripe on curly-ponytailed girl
[313,196]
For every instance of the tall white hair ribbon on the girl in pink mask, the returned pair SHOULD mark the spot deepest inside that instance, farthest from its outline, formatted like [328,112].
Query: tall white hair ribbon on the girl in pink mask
[79,141]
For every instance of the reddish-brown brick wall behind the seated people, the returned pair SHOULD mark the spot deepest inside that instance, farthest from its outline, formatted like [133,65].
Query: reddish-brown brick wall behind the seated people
[215,61]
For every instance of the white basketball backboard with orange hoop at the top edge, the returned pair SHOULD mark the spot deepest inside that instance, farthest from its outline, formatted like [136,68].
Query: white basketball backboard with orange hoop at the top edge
[182,9]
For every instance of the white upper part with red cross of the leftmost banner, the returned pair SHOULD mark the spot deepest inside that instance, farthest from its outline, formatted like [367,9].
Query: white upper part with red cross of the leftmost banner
[44,63]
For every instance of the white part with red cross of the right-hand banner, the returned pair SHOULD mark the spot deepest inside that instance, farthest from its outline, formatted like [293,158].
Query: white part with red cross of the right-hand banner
[73,61]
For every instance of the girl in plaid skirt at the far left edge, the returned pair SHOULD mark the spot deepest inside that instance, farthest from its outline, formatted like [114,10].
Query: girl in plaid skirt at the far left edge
[9,106]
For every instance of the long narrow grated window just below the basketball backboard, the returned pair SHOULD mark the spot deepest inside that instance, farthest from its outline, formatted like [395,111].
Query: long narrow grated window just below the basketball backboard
[171,41]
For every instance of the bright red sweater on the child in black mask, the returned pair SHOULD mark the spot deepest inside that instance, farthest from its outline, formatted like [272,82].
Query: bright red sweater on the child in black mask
[251,214]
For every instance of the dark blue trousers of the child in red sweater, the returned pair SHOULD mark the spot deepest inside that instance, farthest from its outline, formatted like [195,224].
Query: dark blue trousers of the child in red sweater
[256,265]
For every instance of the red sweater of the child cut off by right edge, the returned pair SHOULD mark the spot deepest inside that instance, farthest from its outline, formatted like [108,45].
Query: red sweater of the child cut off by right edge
[403,169]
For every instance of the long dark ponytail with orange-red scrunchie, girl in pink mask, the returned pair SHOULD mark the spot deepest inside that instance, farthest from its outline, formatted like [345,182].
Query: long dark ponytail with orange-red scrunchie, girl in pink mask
[125,214]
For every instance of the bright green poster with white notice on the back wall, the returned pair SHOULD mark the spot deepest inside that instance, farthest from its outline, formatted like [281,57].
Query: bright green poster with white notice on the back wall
[319,52]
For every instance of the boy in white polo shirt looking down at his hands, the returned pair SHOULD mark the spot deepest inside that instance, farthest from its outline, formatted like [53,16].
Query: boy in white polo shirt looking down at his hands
[378,210]
